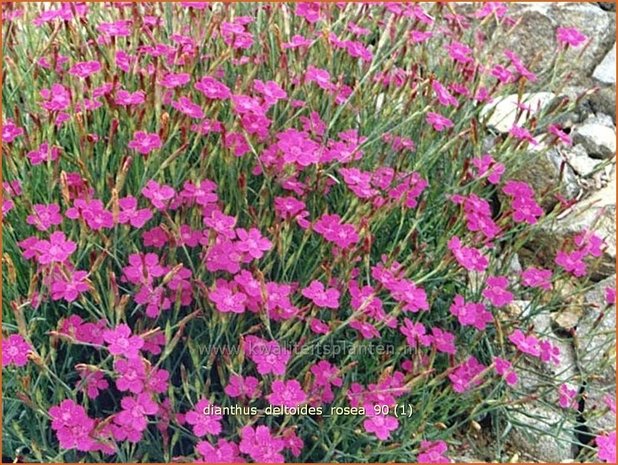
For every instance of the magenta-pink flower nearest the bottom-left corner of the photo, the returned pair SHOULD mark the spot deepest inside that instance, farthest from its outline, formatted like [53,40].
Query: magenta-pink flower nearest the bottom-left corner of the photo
[72,425]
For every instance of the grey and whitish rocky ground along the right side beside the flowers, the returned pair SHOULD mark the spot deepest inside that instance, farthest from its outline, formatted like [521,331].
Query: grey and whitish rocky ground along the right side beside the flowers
[586,171]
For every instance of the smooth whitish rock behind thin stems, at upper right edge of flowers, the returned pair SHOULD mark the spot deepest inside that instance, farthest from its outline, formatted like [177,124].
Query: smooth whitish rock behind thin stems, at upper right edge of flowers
[503,113]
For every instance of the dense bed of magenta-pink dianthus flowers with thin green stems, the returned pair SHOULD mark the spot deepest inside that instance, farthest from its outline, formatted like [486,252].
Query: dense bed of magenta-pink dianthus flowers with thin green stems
[287,205]
